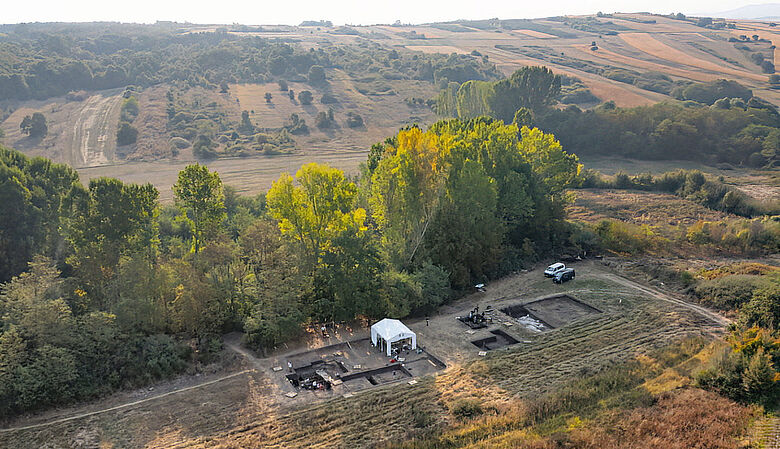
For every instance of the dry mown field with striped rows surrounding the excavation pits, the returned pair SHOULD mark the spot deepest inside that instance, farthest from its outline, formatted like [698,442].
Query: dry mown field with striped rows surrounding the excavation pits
[239,411]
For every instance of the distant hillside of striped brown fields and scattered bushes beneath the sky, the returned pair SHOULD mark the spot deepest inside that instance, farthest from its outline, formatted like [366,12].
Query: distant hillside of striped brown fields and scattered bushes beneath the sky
[388,75]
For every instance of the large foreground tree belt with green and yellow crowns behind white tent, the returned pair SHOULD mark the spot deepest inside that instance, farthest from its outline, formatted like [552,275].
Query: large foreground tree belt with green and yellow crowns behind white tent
[105,287]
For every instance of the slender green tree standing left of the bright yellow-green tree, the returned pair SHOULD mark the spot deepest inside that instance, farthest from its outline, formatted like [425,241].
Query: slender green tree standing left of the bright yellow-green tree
[200,199]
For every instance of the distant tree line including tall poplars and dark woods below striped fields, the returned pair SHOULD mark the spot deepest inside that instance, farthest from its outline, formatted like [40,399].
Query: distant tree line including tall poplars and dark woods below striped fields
[718,122]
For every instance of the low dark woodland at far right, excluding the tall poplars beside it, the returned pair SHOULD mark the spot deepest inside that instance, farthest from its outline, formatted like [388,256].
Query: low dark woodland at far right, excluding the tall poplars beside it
[735,132]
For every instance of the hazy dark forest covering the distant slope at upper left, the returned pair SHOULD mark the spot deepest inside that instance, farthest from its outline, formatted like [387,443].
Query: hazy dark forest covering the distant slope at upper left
[46,60]
